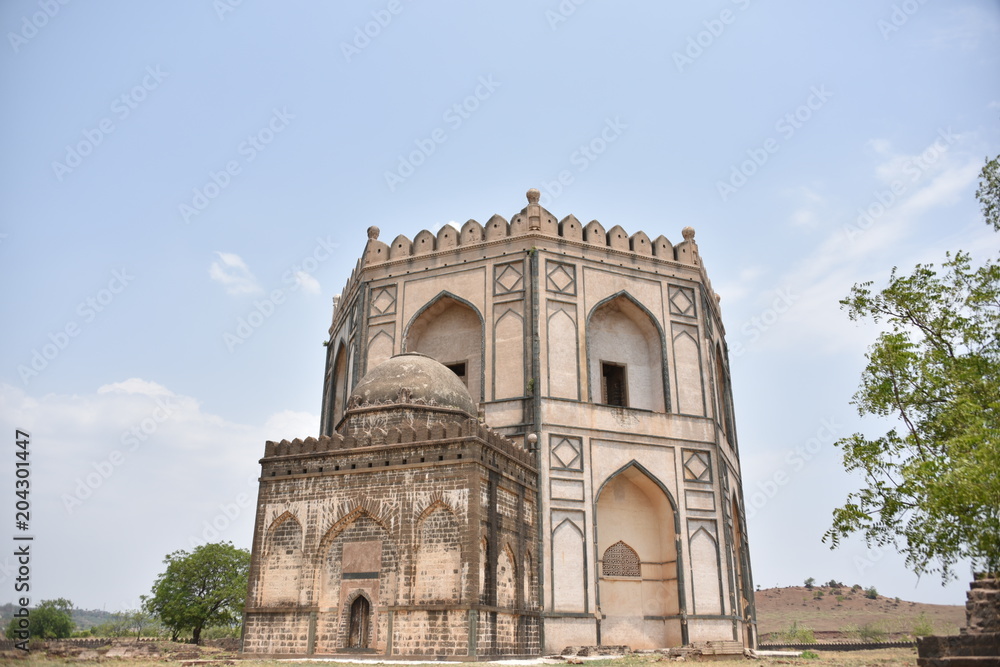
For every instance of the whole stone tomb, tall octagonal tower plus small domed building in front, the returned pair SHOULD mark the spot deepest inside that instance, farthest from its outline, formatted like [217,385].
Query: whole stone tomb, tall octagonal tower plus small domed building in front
[572,479]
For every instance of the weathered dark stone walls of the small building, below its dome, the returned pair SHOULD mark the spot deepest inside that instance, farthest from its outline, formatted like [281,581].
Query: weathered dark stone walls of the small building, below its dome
[392,540]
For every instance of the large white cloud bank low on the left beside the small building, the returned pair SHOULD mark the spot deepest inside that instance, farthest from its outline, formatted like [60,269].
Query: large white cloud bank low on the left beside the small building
[134,468]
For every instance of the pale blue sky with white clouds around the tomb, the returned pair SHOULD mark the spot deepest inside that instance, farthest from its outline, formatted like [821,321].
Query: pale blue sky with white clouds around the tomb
[170,170]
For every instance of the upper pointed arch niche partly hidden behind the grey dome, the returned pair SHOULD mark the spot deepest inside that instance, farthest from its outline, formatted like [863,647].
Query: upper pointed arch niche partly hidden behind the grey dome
[451,330]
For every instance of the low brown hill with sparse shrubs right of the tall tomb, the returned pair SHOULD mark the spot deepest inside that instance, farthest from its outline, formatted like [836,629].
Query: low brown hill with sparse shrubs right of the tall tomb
[847,613]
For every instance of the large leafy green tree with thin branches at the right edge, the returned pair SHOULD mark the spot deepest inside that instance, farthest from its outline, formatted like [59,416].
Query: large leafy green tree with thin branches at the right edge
[933,480]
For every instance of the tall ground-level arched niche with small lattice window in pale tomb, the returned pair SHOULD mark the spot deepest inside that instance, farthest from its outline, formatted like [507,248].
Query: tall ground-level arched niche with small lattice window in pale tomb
[638,562]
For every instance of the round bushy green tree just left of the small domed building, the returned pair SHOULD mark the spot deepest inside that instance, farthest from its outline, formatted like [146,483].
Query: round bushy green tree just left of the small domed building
[205,587]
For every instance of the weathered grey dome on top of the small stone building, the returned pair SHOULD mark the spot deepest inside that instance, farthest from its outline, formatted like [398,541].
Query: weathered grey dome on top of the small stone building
[424,379]
